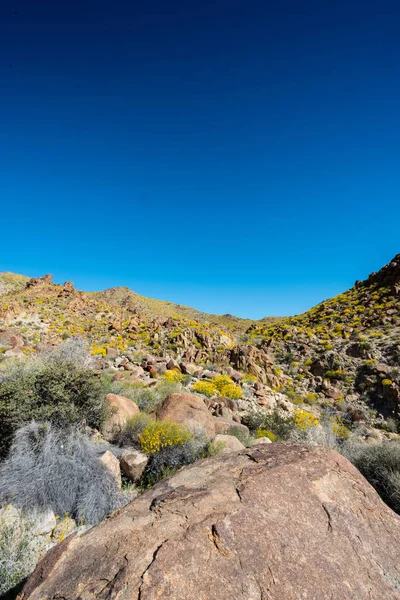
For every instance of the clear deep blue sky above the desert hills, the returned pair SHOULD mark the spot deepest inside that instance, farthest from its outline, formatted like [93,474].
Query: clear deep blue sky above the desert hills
[239,157]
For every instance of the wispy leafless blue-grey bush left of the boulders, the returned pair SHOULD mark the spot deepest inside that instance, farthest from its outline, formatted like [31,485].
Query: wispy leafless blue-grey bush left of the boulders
[55,469]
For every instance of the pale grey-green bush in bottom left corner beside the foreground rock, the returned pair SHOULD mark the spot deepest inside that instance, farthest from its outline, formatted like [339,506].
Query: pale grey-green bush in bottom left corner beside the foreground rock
[20,551]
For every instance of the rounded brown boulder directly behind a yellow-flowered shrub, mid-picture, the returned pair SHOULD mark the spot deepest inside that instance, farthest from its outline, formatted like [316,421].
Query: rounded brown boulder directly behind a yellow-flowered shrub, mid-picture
[188,410]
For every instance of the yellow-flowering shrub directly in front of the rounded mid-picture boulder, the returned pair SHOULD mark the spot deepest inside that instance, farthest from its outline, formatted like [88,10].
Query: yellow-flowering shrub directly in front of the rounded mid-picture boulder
[161,434]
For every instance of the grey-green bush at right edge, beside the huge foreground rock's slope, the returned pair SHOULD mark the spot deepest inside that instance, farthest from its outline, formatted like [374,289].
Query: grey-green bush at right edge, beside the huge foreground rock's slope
[380,465]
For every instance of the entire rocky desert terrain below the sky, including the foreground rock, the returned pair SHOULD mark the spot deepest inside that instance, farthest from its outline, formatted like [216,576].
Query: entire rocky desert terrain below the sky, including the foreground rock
[107,398]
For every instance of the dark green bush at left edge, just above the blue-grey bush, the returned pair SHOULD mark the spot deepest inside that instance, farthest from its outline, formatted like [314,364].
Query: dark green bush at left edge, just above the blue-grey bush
[58,392]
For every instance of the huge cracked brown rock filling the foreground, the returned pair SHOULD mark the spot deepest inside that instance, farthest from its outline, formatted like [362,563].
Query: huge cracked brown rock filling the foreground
[274,522]
